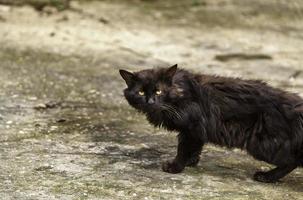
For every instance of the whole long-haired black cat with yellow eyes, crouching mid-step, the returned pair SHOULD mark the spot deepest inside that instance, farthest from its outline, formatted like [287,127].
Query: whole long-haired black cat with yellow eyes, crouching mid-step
[231,112]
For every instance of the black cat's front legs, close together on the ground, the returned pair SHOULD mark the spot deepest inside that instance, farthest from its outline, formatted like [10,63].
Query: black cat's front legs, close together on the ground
[188,154]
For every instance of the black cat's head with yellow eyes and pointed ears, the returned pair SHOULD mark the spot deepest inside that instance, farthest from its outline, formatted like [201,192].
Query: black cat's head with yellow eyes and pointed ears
[153,90]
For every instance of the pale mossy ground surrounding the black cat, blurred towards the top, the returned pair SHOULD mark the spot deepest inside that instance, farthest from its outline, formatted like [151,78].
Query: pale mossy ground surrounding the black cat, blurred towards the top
[66,131]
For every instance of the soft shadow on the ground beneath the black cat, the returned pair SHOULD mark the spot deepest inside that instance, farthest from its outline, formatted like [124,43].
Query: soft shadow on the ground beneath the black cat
[151,159]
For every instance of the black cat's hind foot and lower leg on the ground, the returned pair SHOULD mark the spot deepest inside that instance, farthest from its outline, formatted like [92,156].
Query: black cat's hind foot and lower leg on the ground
[275,174]
